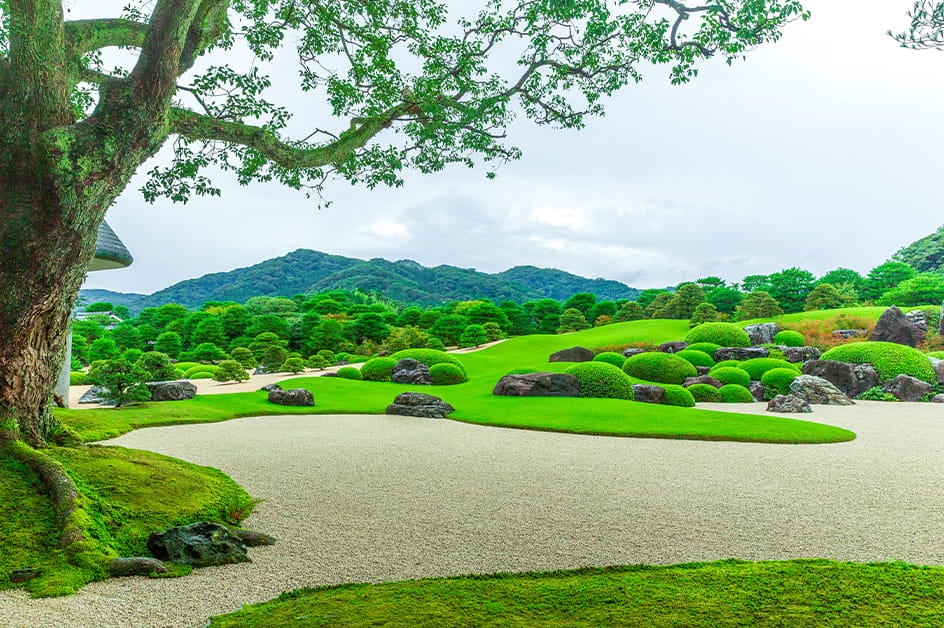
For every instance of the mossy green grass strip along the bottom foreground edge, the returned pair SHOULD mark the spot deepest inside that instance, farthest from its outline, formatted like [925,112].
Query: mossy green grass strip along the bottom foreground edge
[725,593]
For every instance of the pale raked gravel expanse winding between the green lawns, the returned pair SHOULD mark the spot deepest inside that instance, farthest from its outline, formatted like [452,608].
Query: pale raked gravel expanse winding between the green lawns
[374,498]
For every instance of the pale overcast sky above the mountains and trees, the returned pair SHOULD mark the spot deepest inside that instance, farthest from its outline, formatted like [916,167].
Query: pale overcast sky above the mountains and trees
[820,151]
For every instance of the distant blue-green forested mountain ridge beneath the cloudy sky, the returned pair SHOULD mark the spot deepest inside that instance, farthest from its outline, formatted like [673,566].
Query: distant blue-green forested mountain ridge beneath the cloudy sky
[405,281]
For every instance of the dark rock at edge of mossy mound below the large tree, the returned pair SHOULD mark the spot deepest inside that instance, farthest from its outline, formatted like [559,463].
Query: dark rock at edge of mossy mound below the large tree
[201,544]
